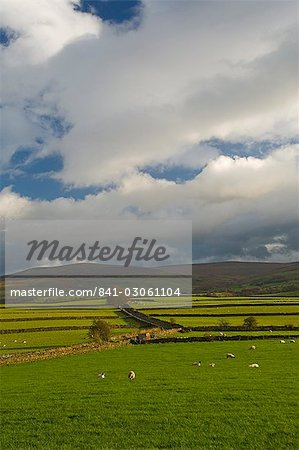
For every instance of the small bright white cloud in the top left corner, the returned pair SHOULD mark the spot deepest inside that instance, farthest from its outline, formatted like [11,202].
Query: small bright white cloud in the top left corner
[43,27]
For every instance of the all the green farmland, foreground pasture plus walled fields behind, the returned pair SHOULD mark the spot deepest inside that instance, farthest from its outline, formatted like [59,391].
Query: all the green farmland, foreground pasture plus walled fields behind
[61,403]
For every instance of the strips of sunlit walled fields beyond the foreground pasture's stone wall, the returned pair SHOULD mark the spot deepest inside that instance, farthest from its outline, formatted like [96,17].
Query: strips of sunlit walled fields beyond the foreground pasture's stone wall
[206,312]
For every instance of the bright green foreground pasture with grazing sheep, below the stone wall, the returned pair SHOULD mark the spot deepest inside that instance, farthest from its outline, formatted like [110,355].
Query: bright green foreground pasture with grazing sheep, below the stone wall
[61,404]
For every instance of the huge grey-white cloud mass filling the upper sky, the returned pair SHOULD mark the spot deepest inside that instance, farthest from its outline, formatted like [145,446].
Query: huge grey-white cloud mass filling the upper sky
[145,96]
